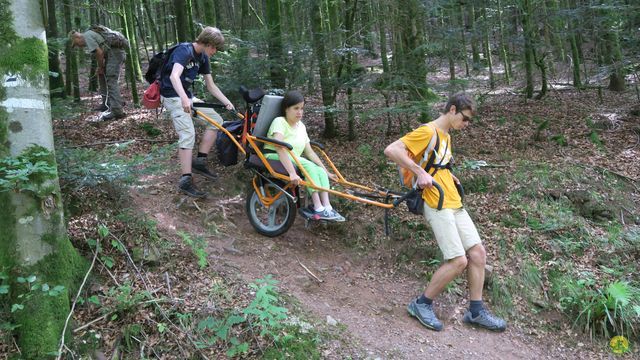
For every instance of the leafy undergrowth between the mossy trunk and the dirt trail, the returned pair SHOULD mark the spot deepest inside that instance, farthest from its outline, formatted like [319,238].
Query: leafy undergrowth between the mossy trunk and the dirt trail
[154,294]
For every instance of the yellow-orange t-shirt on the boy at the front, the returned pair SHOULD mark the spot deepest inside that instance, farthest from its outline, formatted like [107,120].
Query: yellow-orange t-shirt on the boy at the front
[417,142]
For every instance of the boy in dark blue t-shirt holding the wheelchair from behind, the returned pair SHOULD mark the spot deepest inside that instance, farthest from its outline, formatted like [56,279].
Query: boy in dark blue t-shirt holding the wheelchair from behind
[186,62]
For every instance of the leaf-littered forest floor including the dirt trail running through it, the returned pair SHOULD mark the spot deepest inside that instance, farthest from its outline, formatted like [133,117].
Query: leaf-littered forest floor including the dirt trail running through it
[197,256]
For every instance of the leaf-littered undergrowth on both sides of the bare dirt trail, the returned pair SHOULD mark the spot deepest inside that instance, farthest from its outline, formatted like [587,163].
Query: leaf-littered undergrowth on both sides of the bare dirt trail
[550,184]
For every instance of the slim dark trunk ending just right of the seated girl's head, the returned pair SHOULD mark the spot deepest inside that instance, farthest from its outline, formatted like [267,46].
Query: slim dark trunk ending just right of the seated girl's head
[326,81]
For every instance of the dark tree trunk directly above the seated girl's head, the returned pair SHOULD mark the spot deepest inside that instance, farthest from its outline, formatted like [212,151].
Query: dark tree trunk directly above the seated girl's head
[275,43]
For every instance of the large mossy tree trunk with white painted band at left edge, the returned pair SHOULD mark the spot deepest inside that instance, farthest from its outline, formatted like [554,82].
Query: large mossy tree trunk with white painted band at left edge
[33,240]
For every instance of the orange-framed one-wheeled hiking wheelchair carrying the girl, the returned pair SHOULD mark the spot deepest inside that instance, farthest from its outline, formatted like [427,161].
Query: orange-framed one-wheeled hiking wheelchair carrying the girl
[272,199]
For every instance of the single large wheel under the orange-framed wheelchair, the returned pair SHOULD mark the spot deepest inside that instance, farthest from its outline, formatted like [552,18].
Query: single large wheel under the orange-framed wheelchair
[273,217]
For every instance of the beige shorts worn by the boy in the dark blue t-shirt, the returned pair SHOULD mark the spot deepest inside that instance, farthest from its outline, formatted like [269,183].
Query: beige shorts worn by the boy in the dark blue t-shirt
[183,122]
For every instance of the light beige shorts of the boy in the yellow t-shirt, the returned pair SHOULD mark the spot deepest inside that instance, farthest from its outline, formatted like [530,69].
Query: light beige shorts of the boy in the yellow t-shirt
[454,230]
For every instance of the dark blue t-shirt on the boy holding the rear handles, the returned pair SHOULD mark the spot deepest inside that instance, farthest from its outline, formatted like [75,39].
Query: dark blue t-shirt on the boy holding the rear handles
[194,64]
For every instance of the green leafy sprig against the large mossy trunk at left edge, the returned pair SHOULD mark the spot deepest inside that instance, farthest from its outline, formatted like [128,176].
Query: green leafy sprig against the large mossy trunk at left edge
[29,172]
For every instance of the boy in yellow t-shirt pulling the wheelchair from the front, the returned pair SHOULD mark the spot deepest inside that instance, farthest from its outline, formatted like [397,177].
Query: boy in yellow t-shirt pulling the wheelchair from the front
[454,230]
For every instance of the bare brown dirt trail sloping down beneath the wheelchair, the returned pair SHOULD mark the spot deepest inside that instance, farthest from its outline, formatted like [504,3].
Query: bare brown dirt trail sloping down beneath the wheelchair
[361,292]
